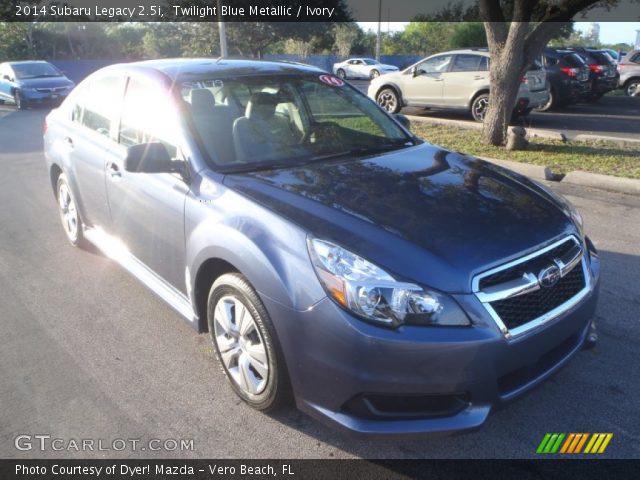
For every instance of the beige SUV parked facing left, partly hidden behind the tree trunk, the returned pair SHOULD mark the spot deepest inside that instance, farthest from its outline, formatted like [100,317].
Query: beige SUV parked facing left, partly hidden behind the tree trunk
[454,80]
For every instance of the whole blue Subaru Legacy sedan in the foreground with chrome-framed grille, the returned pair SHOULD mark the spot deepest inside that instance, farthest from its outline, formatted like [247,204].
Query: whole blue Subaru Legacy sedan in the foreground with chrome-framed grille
[388,286]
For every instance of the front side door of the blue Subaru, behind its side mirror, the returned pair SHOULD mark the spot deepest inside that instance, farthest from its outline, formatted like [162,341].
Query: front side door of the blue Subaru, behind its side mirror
[147,209]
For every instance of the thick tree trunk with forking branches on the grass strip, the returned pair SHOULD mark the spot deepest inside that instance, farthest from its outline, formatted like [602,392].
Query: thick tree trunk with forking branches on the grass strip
[517,31]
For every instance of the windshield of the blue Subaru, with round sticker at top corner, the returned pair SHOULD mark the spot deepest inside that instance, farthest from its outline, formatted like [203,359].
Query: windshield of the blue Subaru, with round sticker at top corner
[251,123]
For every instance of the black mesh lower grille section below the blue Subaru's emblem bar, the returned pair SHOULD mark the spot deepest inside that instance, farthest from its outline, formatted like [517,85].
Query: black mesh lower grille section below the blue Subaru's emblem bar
[519,310]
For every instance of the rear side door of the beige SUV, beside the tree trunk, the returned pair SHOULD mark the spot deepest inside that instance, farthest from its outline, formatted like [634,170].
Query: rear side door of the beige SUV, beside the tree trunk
[468,74]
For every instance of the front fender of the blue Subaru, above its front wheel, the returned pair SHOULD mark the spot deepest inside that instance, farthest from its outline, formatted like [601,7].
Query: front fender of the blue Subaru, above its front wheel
[267,249]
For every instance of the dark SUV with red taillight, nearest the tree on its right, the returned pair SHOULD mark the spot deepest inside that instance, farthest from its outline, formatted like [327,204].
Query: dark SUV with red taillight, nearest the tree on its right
[568,77]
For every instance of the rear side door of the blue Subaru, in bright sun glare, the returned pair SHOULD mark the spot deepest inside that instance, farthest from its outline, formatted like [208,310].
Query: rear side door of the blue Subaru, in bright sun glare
[89,142]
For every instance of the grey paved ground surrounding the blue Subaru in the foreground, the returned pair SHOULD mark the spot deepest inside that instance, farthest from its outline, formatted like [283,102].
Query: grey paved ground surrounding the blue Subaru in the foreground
[88,352]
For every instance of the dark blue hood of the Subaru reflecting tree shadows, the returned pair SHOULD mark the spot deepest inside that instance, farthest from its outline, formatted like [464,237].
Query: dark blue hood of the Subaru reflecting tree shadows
[423,213]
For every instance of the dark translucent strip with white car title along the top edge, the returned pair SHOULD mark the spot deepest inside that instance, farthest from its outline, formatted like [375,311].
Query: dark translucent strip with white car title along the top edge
[277,10]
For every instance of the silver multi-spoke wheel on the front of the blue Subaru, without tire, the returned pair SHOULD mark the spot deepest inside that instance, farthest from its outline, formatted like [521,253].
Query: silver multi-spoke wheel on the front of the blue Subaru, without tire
[241,346]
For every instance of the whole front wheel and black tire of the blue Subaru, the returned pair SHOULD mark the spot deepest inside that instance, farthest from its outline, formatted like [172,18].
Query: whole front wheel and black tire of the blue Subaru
[246,344]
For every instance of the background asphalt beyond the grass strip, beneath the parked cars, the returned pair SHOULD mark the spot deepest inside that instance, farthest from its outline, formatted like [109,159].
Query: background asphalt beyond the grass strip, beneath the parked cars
[611,116]
